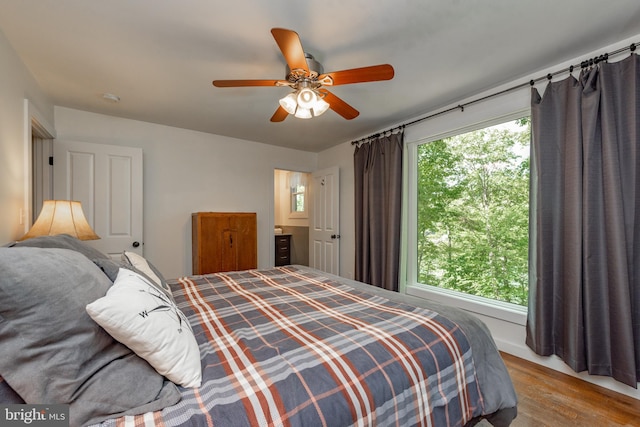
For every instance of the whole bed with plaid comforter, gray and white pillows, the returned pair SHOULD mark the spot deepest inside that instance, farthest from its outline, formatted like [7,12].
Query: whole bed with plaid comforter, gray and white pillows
[286,346]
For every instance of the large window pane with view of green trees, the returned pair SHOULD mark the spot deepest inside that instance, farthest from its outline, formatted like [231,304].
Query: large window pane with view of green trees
[473,211]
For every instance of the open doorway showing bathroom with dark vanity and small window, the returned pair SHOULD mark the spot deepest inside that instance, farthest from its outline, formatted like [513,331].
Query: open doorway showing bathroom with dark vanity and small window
[291,217]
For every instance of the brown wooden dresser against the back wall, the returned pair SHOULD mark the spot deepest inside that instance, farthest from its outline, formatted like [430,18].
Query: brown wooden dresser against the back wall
[223,241]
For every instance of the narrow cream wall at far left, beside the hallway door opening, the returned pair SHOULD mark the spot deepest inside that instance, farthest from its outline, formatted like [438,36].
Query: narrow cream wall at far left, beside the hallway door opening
[16,85]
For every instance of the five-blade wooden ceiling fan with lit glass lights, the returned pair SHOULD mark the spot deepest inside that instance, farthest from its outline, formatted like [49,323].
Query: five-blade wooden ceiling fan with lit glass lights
[306,76]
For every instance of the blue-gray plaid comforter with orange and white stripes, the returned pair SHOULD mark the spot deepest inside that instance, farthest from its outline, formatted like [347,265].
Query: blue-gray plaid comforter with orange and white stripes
[290,347]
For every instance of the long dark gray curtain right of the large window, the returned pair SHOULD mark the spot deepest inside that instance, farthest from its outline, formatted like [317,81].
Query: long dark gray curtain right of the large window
[584,302]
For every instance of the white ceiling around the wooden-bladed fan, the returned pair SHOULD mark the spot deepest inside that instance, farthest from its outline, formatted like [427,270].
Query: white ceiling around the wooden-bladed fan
[160,56]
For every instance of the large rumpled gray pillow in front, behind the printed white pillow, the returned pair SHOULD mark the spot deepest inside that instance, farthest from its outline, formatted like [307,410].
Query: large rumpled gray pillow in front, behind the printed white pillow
[53,352]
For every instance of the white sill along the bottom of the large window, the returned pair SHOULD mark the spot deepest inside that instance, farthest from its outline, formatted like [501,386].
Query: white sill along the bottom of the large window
[483,306]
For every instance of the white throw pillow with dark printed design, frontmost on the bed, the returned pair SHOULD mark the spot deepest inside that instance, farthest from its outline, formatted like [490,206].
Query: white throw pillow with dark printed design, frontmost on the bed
[141,317]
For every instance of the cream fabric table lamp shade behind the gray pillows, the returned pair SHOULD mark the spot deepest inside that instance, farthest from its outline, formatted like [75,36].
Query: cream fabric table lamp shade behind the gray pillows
[61,217]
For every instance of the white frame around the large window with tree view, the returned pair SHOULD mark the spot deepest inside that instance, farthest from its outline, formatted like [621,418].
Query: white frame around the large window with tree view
[480,305]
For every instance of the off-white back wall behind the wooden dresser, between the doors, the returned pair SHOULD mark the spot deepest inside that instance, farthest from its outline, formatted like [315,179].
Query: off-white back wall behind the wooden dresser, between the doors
[187,171]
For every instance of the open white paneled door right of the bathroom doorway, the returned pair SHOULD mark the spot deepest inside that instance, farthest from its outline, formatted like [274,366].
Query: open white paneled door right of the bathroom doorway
[324,238]
